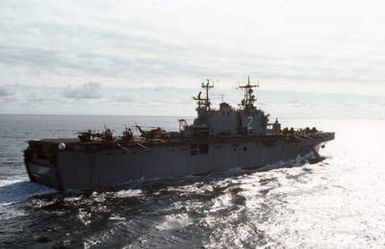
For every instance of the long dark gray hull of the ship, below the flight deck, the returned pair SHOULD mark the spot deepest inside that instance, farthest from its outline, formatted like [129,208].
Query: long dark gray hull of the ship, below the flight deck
[95,165]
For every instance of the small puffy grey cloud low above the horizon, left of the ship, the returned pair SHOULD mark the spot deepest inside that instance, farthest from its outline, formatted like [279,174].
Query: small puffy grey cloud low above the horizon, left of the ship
[90,90]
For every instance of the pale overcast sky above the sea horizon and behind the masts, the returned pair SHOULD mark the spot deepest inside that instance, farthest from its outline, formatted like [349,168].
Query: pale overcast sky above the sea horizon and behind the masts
[311,59]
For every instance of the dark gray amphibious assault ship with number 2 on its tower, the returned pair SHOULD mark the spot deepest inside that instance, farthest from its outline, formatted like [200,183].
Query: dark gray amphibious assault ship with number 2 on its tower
[218,140]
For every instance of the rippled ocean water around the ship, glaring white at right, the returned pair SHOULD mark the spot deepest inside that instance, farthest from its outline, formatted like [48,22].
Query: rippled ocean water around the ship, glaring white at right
[338,202]
